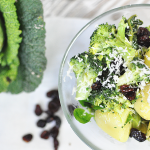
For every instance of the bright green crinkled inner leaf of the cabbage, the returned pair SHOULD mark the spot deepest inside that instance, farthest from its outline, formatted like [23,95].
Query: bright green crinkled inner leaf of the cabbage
[9,61]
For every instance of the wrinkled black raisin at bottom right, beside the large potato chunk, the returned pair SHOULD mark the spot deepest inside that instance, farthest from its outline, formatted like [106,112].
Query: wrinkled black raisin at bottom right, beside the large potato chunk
[138,135]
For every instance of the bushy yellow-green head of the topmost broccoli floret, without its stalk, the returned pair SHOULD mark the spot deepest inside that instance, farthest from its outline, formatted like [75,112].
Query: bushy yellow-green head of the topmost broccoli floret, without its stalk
[100,36]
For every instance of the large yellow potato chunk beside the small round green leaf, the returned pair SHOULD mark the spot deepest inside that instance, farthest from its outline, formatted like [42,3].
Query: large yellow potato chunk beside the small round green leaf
[113,124]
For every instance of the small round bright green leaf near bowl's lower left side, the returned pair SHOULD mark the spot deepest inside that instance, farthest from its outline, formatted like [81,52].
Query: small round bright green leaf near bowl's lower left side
[82,116]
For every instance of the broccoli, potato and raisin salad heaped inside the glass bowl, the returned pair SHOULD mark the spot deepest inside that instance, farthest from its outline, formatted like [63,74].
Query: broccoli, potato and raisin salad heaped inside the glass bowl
[113,80]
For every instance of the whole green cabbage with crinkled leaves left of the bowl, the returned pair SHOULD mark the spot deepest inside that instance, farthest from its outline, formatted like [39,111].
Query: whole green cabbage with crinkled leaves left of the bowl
[22,70]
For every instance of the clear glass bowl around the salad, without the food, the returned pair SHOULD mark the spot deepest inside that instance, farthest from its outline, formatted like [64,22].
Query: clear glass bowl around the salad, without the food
[90,133]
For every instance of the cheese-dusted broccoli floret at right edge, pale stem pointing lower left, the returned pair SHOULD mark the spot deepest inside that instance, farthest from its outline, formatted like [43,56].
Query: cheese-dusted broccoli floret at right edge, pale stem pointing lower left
[138,72]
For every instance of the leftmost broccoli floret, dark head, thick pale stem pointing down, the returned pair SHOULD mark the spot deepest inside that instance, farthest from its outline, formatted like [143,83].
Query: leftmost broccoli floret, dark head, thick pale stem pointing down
[86,68]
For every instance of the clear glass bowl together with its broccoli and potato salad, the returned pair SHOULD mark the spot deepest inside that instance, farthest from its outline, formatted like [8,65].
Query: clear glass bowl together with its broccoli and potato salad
[104,80]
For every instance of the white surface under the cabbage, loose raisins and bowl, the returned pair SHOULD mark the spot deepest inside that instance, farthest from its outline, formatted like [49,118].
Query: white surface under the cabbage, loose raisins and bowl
[17,111]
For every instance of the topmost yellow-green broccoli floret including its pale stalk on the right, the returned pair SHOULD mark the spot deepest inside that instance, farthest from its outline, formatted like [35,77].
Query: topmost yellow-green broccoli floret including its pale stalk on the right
[106,38]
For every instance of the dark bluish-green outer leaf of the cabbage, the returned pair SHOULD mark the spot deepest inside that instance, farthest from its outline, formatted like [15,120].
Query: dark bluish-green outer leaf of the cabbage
[32,49]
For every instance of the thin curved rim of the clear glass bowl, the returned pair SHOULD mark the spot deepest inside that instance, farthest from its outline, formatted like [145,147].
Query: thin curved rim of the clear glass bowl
[89,144]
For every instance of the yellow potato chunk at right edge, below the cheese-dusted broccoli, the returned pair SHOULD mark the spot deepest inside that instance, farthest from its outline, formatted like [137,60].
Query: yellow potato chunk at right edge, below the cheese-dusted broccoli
[141,105]
